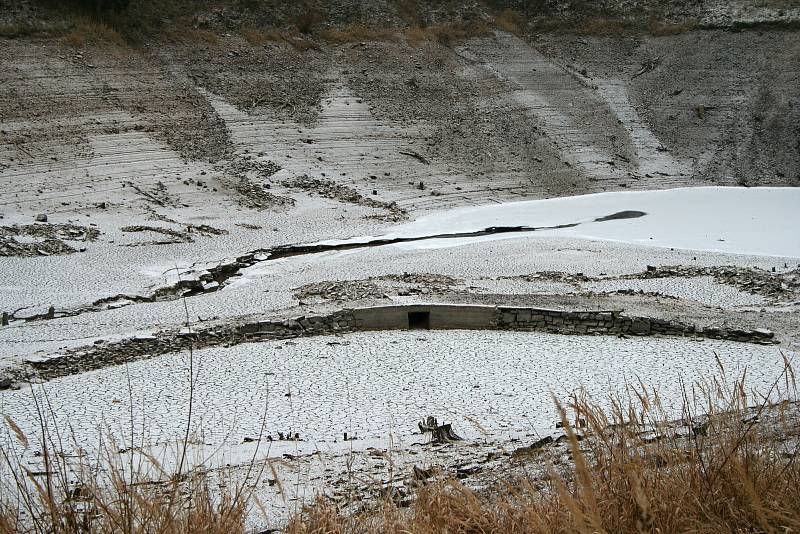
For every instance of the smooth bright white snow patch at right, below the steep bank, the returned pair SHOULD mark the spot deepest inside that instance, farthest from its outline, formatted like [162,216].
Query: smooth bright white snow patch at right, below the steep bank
[758,220]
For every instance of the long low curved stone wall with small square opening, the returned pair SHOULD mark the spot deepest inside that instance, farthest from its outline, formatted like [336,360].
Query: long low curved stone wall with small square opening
[102,354]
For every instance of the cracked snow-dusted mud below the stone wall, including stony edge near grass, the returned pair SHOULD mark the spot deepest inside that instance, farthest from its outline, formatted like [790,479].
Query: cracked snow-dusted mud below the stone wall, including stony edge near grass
[496,388]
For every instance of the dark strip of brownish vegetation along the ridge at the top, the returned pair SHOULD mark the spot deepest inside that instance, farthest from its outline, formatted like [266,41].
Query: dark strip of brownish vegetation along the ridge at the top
[139,21]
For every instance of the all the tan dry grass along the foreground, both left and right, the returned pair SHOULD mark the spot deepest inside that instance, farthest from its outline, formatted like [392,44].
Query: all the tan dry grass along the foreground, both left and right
[727,465]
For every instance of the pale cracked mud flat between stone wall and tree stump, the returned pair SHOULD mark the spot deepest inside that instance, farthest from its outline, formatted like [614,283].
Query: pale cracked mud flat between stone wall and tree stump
[373,385]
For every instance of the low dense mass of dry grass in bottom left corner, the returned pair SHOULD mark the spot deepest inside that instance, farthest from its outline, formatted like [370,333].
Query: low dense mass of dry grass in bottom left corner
[65,494]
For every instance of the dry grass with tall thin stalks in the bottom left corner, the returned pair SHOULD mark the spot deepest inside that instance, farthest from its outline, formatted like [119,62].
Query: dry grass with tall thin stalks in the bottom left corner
[59,488]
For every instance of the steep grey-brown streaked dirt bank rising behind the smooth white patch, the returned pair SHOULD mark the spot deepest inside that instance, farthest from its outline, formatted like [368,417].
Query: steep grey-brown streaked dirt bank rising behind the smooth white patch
[500,116]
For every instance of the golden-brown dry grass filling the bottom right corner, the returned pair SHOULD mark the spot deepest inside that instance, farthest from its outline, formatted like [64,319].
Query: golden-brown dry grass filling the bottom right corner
[635,472]
